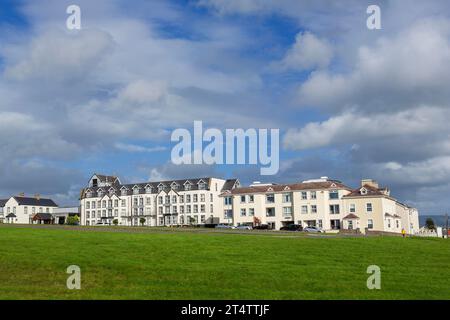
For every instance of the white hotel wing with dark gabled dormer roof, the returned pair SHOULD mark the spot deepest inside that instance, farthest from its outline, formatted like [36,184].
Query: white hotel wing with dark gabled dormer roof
[162,203]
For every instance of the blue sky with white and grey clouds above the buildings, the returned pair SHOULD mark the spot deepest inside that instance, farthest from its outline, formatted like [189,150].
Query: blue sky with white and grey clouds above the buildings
[350,103]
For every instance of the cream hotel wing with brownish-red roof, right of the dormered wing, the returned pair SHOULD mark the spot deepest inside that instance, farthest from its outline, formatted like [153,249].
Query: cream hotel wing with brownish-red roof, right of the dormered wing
[324,203]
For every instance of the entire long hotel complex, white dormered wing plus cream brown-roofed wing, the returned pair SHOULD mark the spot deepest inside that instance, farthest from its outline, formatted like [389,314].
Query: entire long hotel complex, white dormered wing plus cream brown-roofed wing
[325,203]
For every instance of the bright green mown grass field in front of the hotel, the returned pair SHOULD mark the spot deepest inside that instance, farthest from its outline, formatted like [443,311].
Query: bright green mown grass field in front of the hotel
[158,264]
